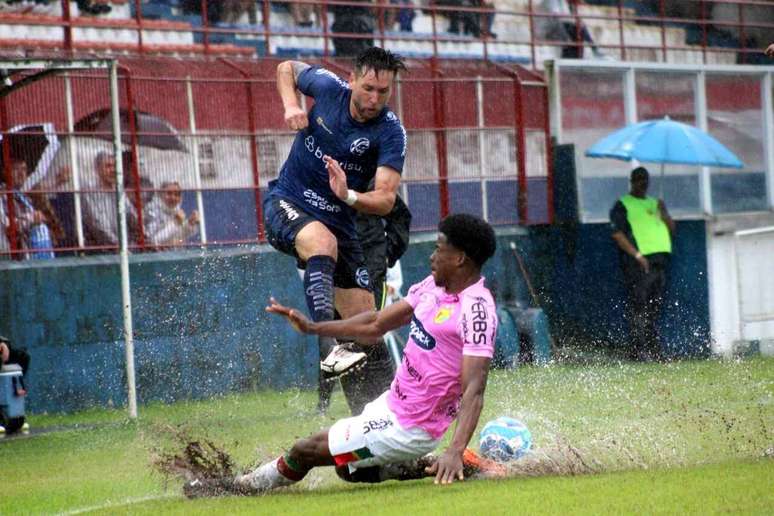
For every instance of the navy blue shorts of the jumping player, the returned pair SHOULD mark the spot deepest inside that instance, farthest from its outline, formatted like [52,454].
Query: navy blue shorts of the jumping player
[283,220]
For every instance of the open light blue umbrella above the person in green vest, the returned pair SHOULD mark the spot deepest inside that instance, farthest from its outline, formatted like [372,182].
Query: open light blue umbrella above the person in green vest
[664,141]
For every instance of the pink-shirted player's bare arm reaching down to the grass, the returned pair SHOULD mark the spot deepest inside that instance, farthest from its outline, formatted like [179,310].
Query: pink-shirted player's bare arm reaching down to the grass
[448,467]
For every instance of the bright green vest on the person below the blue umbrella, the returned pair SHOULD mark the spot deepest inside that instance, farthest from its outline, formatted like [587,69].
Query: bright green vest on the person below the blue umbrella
[650,232]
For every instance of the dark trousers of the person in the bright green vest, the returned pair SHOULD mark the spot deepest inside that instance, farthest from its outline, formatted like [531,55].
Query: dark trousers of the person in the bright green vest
[645,299]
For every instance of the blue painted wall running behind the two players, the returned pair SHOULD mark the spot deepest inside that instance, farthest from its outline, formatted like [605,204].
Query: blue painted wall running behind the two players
[200,328]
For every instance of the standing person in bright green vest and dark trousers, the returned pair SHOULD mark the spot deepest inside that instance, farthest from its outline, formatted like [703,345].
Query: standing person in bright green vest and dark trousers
[643,231]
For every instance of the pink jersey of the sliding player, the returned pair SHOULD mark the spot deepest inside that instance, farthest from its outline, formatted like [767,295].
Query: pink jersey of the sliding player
[427,389]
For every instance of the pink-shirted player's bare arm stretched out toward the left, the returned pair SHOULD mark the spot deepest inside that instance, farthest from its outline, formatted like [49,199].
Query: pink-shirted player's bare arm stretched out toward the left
[367,326]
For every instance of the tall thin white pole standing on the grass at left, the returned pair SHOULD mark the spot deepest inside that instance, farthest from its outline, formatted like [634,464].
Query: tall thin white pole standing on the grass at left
[126,296]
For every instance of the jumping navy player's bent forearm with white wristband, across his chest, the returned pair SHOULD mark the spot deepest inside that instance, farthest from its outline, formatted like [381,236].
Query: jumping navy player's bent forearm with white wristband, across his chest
[379,201]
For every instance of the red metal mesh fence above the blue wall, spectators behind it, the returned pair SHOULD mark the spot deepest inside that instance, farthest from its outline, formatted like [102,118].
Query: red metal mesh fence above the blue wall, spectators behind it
[478,142]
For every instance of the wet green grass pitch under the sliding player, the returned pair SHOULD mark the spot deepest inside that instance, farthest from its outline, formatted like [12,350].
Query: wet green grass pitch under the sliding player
[680,437]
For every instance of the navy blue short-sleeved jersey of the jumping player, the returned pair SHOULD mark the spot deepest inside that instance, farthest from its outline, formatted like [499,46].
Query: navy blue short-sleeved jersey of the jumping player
[359,147]
